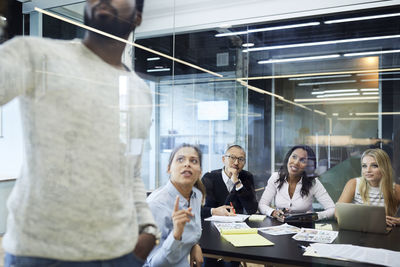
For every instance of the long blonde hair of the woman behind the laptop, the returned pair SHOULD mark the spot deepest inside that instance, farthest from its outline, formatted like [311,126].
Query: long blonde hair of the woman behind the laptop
[386,183]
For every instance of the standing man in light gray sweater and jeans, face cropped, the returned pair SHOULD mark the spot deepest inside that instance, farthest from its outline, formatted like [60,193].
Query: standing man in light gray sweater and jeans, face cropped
[80,200]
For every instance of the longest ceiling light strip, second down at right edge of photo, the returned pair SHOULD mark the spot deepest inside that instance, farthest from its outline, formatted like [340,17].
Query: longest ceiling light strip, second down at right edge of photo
[273,47]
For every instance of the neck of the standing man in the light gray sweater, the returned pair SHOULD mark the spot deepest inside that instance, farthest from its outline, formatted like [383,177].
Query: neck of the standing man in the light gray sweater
[108,49]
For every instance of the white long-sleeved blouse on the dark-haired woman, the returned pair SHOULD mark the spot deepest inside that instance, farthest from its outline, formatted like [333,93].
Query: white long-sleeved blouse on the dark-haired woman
[296,204]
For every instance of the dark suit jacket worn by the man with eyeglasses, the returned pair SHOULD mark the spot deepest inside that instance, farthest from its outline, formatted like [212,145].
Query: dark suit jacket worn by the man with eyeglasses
[217,194]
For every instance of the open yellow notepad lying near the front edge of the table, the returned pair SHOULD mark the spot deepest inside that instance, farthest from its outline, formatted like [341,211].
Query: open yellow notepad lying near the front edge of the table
[245,237]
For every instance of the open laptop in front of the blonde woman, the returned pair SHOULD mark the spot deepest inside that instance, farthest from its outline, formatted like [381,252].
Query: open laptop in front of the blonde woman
[364,218]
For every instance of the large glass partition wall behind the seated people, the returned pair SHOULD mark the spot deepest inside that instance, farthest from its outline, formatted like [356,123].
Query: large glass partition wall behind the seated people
[331,82]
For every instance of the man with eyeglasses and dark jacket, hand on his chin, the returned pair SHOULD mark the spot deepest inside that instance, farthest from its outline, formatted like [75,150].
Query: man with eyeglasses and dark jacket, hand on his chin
[231,189]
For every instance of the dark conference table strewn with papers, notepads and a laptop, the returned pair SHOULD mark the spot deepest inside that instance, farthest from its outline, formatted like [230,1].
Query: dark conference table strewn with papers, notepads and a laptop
[288,252]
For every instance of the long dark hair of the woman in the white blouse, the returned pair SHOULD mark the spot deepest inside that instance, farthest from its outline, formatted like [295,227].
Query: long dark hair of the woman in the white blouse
[308,174]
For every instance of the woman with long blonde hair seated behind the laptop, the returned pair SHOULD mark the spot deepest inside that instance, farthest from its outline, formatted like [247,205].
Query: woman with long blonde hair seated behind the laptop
[375,186]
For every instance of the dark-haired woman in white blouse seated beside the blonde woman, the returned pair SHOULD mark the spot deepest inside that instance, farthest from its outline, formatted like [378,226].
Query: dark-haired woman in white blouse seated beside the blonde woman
[295,185]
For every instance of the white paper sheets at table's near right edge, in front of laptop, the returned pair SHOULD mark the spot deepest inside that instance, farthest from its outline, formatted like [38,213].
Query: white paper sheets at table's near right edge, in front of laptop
[354,253]
